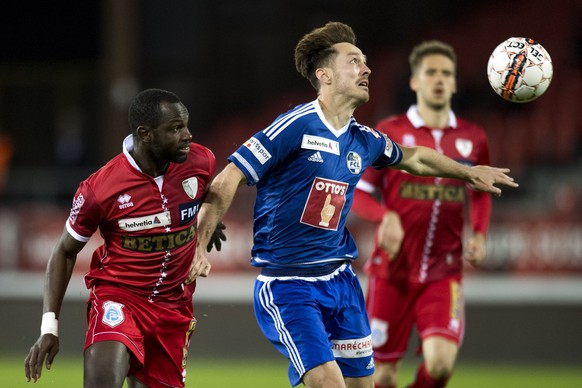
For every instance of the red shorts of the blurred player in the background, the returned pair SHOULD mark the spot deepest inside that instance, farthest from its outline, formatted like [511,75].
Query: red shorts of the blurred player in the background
[436,308]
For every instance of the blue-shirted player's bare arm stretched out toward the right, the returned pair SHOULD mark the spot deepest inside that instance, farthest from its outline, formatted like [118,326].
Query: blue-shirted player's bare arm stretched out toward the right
[424,161]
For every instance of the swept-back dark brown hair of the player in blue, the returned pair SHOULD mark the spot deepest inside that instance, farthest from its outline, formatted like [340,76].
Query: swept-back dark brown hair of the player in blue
[315,49]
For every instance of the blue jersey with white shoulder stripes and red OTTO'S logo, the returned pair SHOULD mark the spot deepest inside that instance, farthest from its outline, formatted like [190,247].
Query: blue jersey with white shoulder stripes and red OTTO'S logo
[305,172]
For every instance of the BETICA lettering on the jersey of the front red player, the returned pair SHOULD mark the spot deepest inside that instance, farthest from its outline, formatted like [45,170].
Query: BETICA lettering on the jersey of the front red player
[159,242]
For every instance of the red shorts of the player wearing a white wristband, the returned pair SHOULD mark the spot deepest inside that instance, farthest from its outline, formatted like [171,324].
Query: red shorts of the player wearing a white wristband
[157,336]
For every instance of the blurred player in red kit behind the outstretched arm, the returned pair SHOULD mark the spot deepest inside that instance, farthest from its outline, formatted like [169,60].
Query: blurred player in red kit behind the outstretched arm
[415,271]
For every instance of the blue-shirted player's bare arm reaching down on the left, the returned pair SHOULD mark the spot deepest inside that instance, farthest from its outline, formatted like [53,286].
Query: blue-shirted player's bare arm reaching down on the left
[216,203]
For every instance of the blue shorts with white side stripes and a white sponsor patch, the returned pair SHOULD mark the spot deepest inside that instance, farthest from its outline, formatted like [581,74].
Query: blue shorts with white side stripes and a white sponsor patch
[313,320]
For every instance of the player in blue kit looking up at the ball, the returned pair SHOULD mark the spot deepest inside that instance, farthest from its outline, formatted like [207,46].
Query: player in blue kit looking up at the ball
[305,166]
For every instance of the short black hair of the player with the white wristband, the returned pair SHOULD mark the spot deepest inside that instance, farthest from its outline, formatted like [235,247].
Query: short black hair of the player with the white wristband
[145,107]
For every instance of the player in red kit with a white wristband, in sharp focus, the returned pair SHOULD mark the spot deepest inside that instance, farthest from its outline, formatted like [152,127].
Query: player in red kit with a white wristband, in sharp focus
[145,203]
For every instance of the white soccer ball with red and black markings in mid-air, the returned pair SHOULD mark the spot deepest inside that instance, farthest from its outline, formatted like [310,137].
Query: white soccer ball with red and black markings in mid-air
[520,70]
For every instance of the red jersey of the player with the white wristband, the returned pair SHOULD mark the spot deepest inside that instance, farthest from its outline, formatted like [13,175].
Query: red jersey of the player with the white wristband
[148,224]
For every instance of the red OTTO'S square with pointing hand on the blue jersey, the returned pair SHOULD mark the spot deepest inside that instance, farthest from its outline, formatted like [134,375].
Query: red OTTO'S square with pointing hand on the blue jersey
[324,204]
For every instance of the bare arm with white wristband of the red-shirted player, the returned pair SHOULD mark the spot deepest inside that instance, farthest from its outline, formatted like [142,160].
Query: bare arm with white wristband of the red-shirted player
[58,273]
